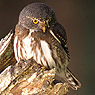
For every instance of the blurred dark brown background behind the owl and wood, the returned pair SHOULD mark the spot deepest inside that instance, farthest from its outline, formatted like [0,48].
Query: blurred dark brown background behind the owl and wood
[77,16]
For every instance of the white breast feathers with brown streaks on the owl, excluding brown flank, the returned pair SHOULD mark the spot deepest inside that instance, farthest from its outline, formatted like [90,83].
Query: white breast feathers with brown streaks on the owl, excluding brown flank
[41,53]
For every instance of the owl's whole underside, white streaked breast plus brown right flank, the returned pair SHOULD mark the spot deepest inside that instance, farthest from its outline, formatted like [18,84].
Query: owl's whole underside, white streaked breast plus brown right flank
[44,49]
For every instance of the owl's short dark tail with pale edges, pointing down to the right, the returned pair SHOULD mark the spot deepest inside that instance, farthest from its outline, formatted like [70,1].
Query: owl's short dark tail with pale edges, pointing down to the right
[71,80]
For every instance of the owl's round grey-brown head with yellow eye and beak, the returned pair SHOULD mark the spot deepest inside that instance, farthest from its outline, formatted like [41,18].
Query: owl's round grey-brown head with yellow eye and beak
[37,17]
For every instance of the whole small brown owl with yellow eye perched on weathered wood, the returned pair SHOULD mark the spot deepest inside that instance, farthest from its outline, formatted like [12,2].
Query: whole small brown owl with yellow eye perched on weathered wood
[38,35]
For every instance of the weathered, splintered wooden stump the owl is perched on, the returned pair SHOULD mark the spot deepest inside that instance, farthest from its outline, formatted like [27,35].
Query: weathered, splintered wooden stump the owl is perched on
[25,77]
